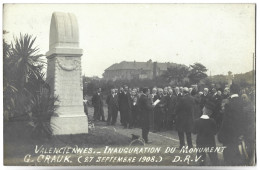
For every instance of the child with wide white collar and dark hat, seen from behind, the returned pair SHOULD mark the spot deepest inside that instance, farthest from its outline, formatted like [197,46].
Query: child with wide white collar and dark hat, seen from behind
[206,129]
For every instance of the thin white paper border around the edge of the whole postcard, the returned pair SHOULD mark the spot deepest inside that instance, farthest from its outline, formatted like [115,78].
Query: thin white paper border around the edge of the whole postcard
[137,1]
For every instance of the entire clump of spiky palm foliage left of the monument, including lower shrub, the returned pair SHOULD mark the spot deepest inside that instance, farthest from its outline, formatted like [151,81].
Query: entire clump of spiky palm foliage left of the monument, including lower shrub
[26,94]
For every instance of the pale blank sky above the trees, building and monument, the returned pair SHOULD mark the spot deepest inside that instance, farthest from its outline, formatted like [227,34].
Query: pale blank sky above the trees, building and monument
[220,36]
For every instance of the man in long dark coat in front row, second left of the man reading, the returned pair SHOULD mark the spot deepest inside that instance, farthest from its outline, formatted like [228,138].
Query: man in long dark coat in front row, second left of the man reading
[125,108]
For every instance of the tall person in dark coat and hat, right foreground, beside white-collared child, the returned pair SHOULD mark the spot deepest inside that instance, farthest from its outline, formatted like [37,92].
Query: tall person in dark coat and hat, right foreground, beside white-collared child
[233,128]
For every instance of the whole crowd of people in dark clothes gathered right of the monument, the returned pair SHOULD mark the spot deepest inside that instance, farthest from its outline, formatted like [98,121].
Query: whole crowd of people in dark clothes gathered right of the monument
[229,114]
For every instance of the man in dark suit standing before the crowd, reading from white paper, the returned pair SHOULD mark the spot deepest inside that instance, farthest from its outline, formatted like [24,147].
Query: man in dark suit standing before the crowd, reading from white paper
[145,110]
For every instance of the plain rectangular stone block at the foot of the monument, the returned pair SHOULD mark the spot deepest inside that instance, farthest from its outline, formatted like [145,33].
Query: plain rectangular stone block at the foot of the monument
[66,125]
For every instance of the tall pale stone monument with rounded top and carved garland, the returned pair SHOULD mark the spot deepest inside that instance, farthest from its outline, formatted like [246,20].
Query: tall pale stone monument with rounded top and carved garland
[64,75]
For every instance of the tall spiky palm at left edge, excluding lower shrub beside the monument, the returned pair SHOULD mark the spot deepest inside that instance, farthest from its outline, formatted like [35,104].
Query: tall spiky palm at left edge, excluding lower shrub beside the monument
[21,62]
